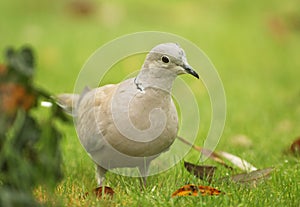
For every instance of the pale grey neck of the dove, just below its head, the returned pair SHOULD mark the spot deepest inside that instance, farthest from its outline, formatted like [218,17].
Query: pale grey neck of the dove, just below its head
[161,79]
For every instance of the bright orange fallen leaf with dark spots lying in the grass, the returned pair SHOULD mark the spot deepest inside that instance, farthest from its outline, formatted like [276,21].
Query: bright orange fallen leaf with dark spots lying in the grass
[194,190]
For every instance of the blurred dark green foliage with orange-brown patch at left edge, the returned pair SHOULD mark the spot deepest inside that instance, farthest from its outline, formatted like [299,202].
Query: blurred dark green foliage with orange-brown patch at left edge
[29,148]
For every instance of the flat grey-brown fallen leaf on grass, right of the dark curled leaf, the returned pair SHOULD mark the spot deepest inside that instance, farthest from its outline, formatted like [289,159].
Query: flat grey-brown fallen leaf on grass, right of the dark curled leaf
[250,178]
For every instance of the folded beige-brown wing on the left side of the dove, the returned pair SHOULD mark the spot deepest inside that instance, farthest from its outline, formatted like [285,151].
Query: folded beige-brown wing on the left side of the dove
[92,114]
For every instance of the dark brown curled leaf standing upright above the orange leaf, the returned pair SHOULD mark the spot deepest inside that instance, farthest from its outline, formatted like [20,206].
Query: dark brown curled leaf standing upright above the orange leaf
[203,172]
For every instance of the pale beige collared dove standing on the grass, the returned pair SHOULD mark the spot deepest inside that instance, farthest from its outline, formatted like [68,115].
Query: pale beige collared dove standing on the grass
[129,124]
